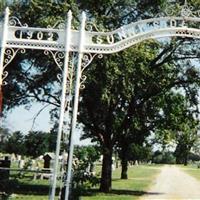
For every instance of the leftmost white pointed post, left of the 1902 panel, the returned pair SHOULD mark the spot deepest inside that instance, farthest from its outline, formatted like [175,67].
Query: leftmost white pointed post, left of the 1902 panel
[3,46]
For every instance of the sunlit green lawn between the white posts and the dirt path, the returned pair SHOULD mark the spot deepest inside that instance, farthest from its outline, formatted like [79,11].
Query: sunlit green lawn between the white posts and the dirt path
[140,179]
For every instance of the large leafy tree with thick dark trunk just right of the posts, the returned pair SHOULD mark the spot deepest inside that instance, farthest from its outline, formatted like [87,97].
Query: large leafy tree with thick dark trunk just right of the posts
[125,92]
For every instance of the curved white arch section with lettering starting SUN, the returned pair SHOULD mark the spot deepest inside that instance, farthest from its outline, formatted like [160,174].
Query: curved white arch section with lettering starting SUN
[128,35]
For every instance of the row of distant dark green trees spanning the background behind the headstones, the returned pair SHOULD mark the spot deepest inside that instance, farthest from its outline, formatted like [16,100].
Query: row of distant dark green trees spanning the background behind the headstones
[36,143]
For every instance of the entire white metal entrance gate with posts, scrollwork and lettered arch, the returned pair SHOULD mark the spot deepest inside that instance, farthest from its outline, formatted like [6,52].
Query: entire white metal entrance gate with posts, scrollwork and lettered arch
[85,44]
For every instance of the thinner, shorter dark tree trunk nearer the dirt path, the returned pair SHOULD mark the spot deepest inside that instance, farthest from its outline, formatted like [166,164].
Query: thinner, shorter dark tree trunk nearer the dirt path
[124,163]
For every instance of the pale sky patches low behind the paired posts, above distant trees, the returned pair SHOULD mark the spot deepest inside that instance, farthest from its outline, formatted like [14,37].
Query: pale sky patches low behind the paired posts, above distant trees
[21,119]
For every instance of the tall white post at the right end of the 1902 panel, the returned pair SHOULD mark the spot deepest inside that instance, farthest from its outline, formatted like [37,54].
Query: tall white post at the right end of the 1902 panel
[62,106]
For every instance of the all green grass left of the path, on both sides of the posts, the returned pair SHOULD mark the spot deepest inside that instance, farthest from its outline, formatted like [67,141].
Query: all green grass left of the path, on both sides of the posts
[140,179]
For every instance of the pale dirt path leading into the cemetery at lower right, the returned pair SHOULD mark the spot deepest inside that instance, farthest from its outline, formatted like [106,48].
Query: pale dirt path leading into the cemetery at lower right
[174,184]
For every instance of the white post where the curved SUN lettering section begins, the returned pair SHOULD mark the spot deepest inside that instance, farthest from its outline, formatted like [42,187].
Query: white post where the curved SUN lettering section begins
[75,105]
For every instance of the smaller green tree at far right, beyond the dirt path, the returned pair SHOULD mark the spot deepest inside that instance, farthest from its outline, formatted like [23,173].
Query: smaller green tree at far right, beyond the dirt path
[180,124]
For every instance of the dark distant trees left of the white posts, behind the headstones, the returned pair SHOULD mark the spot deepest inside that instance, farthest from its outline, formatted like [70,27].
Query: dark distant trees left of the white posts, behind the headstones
[34,144]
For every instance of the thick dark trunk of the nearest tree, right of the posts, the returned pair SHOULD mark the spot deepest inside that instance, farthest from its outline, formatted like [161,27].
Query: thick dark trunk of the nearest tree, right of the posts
[106,173]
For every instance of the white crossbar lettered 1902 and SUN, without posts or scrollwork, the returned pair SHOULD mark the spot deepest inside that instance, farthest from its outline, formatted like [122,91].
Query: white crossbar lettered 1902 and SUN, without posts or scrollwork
[53,39]
